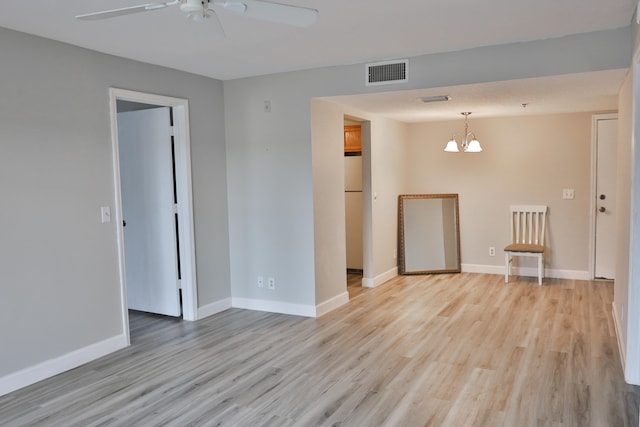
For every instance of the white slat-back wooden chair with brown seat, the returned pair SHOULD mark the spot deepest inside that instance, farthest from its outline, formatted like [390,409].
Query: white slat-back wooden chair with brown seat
[527,237]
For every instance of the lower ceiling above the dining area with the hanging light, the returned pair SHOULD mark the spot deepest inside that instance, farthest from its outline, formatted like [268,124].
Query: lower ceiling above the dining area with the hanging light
[596,91]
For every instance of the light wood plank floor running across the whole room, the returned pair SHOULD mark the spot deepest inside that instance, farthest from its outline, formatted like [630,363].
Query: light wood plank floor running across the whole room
[441,350]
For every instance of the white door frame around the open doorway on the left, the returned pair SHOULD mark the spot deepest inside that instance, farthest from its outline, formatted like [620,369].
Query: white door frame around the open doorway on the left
[182,142]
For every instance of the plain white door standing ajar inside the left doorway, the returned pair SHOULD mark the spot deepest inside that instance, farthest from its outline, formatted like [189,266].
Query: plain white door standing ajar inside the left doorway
[148,203]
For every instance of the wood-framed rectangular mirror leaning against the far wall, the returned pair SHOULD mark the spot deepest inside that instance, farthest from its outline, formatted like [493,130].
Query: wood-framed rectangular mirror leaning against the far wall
[428,234]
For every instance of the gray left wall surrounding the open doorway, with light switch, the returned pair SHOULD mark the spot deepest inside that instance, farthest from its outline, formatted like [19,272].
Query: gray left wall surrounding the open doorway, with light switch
[60,289]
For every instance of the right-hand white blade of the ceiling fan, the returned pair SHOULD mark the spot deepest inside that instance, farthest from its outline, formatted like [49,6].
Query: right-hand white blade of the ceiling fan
[273,12]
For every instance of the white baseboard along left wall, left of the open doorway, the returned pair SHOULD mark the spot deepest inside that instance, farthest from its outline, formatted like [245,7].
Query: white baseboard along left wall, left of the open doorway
[49,368]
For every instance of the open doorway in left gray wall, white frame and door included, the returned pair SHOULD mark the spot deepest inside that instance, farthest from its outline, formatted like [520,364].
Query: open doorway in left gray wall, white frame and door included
[172,173]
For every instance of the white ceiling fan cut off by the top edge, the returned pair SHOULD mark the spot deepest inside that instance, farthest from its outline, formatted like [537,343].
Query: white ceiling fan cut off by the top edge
[197,10]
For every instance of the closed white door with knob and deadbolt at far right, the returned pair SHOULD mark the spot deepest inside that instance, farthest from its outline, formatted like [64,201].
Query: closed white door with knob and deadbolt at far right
[606,152]
